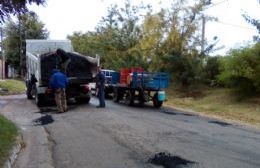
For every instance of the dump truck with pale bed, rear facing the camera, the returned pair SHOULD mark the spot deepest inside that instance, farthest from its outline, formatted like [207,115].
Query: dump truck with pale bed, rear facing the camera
[42,56]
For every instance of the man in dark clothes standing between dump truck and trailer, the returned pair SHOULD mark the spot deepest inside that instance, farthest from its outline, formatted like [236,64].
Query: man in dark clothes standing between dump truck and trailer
[100,84]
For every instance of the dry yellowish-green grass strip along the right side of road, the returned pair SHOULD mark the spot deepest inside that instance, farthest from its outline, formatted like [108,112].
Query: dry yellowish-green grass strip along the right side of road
[218,102]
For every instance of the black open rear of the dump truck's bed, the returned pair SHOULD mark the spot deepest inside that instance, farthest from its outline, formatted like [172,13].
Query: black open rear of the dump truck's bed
[79,69]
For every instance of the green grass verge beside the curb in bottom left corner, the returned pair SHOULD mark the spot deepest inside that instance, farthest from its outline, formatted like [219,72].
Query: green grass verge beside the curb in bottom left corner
[8,132]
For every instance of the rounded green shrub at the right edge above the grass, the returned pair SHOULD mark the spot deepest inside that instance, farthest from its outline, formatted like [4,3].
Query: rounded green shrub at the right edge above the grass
[241,70]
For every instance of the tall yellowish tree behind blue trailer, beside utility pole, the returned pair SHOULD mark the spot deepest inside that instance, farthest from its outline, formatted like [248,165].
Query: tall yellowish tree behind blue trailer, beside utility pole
[178,52]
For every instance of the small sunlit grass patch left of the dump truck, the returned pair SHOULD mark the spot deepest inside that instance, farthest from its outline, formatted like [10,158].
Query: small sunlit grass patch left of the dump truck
[13,86]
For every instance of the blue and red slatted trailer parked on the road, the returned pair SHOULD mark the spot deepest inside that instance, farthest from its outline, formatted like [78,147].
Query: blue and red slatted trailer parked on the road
[136,86]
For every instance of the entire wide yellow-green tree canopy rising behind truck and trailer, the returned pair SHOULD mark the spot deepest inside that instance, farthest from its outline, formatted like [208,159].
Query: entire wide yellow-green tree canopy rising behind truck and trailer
[134,35]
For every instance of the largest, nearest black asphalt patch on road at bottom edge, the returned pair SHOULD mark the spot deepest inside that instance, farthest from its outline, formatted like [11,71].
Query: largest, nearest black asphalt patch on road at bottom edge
[169,161]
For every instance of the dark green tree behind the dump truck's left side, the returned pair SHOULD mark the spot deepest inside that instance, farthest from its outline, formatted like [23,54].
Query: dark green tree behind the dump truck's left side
[28,27]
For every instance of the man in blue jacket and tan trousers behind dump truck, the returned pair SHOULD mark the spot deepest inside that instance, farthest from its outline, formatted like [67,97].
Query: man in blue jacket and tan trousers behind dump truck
[59,83]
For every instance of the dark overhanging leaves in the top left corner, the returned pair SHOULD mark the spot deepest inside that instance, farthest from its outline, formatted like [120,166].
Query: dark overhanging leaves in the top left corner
[9,7]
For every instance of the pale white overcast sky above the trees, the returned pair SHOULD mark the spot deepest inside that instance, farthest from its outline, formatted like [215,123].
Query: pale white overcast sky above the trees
[63,17]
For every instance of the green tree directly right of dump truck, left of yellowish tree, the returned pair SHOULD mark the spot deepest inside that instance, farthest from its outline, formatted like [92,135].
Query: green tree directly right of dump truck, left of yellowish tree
[116,38]
